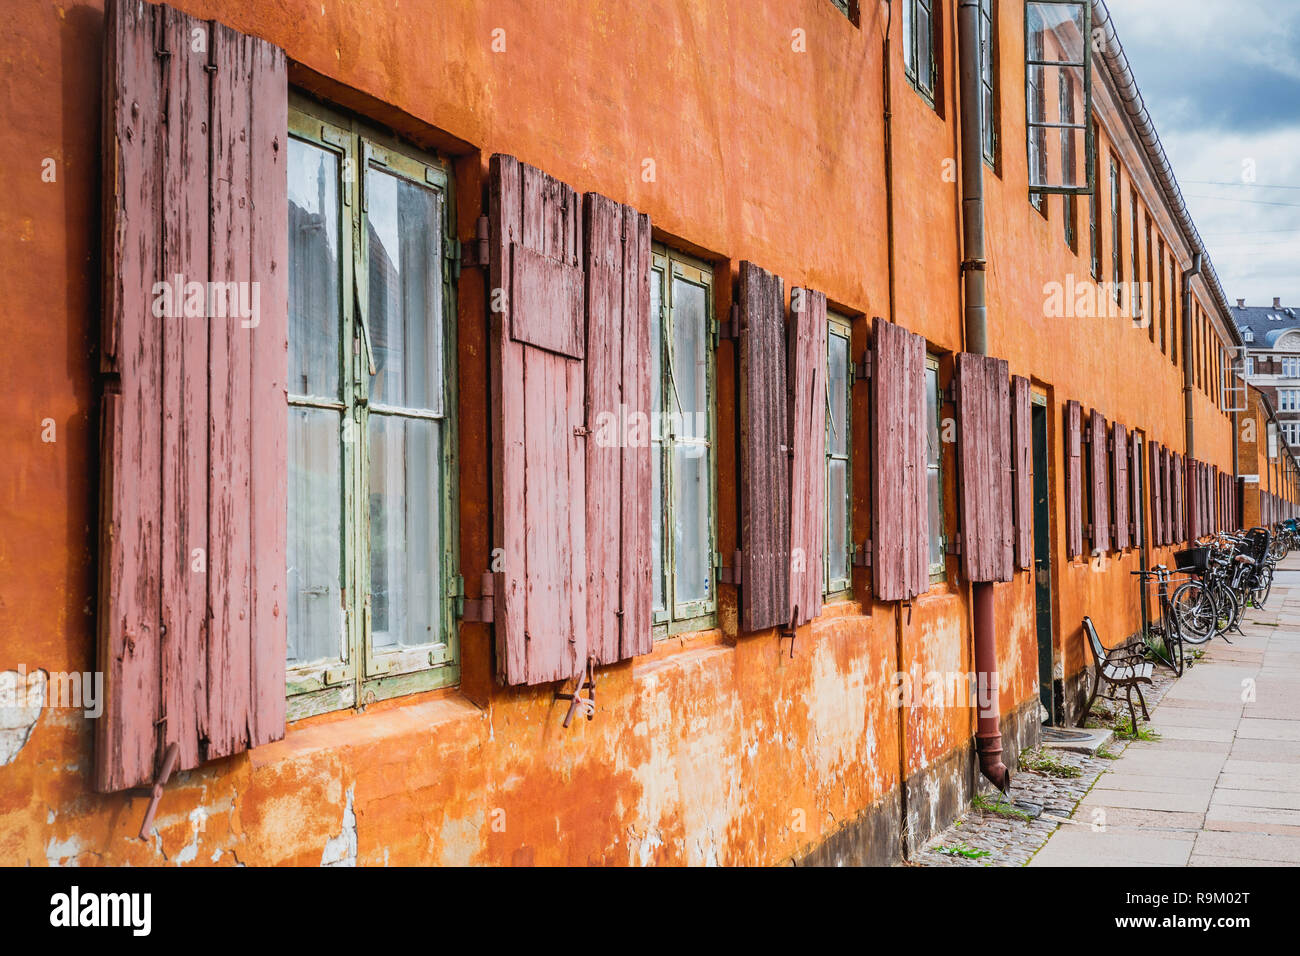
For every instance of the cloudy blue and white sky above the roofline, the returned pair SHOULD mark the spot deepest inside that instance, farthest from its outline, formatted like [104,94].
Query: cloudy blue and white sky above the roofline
[1223,83]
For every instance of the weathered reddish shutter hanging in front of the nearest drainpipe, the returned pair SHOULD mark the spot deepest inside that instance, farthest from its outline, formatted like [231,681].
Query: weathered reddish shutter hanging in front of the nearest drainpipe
[985,464]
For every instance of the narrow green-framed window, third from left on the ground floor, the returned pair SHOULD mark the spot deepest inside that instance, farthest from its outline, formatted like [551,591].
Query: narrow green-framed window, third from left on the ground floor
[838,576]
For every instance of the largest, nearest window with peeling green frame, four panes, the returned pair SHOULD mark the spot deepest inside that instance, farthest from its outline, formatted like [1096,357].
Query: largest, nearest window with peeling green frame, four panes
[372,435]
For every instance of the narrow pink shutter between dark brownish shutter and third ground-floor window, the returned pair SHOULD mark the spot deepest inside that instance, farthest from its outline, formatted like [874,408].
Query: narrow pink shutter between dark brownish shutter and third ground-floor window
[808,400]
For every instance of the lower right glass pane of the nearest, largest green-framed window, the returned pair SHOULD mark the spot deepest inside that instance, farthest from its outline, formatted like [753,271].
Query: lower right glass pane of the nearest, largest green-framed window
[406,547]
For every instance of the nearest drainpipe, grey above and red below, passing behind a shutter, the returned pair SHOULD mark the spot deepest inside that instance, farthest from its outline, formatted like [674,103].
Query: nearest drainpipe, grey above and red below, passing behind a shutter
[989,729]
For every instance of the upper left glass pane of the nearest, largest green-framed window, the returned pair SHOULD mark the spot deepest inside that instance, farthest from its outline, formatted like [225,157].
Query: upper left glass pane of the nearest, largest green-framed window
[314,271]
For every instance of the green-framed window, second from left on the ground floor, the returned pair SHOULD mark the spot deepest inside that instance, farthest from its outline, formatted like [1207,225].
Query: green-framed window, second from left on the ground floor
[682,383]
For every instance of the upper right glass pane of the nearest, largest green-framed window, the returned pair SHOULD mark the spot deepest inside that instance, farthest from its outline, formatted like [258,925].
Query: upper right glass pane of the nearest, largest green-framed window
[405,232]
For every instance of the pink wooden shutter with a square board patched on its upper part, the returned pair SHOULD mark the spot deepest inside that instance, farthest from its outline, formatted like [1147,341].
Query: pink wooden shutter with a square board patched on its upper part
[539,406]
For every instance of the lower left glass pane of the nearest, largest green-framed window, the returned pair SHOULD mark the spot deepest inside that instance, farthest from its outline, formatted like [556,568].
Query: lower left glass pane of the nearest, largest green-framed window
[317,625]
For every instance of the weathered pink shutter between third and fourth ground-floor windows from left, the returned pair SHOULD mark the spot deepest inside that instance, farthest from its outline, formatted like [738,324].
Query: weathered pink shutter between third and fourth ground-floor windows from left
[900,513]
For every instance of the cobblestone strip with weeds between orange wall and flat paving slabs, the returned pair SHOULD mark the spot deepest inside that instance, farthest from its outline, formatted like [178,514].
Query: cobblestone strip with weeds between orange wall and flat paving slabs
[983,838]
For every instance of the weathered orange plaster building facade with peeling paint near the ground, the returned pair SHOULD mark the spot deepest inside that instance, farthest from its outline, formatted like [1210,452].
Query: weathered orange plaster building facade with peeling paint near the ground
[783,133]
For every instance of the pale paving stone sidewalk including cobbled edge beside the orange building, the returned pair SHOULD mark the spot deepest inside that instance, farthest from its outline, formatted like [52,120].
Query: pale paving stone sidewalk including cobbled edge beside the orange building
[1221,785]
